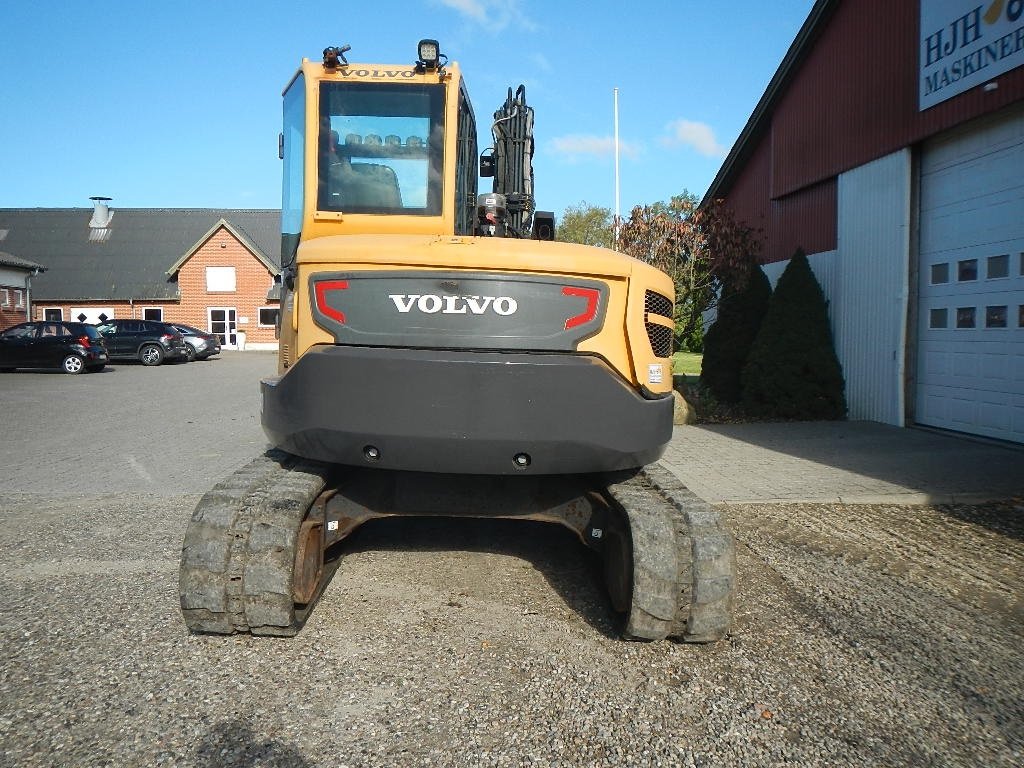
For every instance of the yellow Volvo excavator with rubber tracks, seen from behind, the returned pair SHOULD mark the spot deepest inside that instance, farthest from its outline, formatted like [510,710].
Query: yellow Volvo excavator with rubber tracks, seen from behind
[441,355]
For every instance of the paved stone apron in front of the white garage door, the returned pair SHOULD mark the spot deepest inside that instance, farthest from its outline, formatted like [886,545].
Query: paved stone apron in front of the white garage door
[849,462]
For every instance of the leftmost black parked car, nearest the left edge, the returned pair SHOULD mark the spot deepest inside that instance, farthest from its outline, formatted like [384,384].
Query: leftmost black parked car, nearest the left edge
[74,348]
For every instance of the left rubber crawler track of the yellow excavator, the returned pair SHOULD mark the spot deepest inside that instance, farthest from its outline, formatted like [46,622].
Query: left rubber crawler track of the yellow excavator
[239,553]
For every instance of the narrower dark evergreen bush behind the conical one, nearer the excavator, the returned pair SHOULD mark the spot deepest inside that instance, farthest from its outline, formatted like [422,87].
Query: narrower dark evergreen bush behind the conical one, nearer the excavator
[728,344]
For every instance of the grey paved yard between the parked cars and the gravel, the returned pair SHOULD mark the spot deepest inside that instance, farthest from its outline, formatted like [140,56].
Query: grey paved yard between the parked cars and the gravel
[133,430]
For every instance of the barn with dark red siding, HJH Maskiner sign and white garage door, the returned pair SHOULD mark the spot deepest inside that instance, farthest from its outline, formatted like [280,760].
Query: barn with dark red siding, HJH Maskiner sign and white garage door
[890,147]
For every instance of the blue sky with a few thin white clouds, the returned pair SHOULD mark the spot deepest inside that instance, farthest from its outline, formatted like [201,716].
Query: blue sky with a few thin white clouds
[178,104]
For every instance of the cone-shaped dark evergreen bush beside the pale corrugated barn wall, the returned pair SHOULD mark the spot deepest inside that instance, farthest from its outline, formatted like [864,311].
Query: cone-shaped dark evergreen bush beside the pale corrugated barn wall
[792,371]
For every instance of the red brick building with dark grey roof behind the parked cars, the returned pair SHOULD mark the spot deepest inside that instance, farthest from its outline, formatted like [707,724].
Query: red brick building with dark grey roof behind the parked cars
[212,269]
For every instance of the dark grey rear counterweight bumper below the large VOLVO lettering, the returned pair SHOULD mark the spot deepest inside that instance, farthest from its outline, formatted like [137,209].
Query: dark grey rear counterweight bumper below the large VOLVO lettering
[463,412]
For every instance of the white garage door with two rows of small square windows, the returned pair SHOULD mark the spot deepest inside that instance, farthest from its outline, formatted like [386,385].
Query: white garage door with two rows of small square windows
[971,350]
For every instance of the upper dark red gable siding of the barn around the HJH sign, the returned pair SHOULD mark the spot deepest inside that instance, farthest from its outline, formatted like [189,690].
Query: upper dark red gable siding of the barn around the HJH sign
[856,97]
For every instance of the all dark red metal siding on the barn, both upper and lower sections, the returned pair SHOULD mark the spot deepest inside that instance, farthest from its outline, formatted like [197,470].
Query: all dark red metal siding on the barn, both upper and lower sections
[854,100]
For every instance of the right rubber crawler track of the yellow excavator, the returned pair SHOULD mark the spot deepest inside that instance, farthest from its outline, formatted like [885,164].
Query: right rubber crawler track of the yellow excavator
[685,569]
